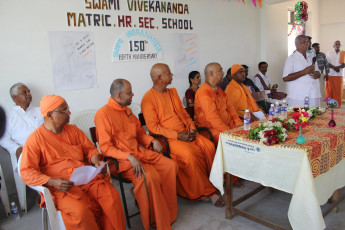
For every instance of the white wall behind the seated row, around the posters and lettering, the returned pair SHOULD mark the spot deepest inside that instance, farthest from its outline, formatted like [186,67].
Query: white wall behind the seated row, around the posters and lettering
[228,33]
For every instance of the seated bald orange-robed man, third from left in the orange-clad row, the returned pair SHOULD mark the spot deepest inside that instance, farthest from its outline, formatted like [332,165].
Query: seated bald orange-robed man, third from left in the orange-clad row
[194,153]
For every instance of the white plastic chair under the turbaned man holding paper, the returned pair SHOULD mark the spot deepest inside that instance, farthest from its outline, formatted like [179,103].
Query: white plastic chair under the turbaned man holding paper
[55,218]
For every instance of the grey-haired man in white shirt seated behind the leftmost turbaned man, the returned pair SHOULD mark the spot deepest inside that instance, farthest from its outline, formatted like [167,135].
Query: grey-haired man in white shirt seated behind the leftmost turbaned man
[22,120]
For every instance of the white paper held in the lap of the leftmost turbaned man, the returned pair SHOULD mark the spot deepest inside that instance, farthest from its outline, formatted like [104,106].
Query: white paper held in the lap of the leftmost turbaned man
[85,174]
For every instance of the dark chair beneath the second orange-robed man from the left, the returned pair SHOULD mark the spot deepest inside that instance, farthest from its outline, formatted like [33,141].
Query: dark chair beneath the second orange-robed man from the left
[114,163]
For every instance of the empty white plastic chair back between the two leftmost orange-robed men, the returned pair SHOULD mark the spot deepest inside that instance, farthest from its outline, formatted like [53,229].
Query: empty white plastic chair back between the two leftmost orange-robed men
[84,120]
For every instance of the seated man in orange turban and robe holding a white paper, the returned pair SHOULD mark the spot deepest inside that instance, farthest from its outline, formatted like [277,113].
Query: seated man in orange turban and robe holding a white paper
[50,155]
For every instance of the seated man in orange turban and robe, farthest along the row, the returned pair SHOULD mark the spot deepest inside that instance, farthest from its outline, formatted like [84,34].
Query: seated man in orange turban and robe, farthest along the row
[239,95]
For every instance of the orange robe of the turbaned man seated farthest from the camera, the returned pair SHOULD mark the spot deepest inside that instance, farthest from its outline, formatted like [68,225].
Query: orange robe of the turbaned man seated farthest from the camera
[240,97]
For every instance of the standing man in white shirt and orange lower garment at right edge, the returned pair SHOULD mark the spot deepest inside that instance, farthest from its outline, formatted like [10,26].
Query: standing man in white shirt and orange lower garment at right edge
[334,83]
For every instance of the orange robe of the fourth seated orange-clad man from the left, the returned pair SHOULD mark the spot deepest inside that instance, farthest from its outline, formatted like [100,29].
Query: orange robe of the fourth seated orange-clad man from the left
[212,110]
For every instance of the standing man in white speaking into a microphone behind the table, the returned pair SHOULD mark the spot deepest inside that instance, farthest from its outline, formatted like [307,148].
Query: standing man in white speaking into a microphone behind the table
[301,75]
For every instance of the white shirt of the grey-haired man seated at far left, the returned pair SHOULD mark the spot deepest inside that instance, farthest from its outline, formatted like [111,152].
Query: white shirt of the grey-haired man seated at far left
[19,125]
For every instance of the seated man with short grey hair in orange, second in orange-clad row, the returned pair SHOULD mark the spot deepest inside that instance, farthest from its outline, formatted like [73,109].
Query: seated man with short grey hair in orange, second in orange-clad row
[121,136]
